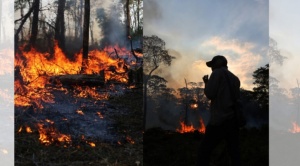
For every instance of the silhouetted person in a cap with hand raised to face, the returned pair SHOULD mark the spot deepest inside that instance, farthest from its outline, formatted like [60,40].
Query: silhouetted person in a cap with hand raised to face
[222,124]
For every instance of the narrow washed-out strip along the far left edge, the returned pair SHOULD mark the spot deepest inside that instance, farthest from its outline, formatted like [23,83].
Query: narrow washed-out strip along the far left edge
[6,86]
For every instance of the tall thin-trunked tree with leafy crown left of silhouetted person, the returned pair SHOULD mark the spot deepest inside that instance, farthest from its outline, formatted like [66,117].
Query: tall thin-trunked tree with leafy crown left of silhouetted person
[155,54]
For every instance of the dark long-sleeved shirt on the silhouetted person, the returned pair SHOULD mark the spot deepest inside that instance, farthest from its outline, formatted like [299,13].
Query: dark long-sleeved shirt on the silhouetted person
[217,89]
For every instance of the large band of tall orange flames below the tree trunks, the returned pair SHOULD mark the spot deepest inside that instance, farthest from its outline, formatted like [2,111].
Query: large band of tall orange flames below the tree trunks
[33,71]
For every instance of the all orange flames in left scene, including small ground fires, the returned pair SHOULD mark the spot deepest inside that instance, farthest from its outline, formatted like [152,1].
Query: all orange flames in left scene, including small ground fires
[35,74]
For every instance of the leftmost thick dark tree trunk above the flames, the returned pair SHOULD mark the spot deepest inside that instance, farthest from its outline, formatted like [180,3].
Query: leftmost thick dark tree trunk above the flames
[35,21]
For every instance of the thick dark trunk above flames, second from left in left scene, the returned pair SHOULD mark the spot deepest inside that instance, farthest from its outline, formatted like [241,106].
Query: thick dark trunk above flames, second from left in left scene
[60,24]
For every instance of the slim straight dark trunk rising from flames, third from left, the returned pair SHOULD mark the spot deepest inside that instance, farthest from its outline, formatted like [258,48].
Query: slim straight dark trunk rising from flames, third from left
[85,43]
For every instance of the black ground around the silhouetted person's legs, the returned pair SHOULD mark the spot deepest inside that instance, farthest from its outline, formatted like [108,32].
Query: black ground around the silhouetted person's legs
[169,148]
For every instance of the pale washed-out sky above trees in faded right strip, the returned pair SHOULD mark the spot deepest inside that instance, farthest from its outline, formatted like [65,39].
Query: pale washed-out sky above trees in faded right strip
[284,29]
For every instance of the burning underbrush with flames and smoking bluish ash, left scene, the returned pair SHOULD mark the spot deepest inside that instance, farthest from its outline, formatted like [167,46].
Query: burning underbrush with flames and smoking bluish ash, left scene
[56,105]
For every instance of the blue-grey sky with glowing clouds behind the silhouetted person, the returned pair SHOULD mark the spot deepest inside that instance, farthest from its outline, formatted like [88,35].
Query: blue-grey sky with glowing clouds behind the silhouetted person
[197,30]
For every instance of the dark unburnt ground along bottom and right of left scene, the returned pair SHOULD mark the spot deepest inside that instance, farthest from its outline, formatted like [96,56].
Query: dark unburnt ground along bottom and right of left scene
[128,151]
